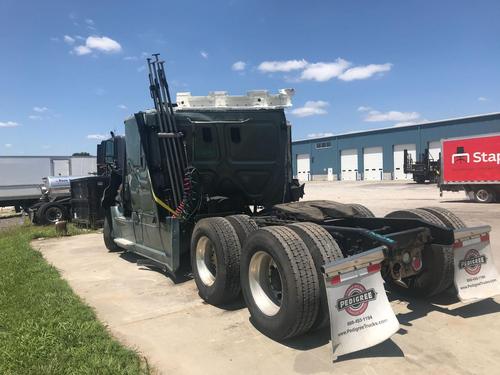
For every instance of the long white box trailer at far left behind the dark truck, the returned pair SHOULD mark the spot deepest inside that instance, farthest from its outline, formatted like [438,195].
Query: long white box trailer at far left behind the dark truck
[21,176]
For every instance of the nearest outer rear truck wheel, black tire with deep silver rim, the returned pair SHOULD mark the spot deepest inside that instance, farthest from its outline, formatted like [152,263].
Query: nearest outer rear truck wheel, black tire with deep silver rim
[279,282]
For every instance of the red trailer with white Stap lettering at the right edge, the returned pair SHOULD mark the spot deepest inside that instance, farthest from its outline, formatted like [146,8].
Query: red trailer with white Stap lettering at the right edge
[472,164]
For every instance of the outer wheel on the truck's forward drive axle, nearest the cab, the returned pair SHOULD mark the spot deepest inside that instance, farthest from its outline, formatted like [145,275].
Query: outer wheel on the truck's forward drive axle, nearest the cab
[215,259]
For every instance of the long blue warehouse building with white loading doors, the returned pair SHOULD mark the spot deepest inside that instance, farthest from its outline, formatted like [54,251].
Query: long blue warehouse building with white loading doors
[378,154]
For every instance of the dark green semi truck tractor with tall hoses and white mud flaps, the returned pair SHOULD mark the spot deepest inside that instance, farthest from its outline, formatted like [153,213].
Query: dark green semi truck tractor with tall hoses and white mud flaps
[211,177]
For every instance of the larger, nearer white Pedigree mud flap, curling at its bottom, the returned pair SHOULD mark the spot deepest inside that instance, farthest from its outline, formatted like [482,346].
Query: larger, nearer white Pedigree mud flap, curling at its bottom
[360,313]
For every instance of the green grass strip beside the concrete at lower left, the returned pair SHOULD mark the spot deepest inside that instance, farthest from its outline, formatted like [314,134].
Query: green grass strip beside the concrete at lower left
[44,327]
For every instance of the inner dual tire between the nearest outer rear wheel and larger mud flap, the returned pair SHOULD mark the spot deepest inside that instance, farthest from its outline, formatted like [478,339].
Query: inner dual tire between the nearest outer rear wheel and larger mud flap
[323,249]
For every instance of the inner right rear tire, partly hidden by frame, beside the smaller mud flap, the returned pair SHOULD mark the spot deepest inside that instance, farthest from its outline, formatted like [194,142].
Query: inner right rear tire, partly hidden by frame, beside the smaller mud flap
[437,265]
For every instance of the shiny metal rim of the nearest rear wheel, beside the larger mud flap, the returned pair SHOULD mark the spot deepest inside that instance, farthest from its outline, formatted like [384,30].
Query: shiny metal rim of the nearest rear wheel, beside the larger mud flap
[265,283]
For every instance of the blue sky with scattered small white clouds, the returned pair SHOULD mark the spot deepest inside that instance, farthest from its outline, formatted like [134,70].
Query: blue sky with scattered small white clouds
[71,71]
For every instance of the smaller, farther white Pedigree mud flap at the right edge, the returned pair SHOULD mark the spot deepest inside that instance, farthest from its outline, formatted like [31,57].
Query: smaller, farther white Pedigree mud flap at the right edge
[476,276]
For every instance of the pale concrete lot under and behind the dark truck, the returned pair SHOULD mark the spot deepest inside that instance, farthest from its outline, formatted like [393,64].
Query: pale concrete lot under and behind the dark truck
[169,324]
